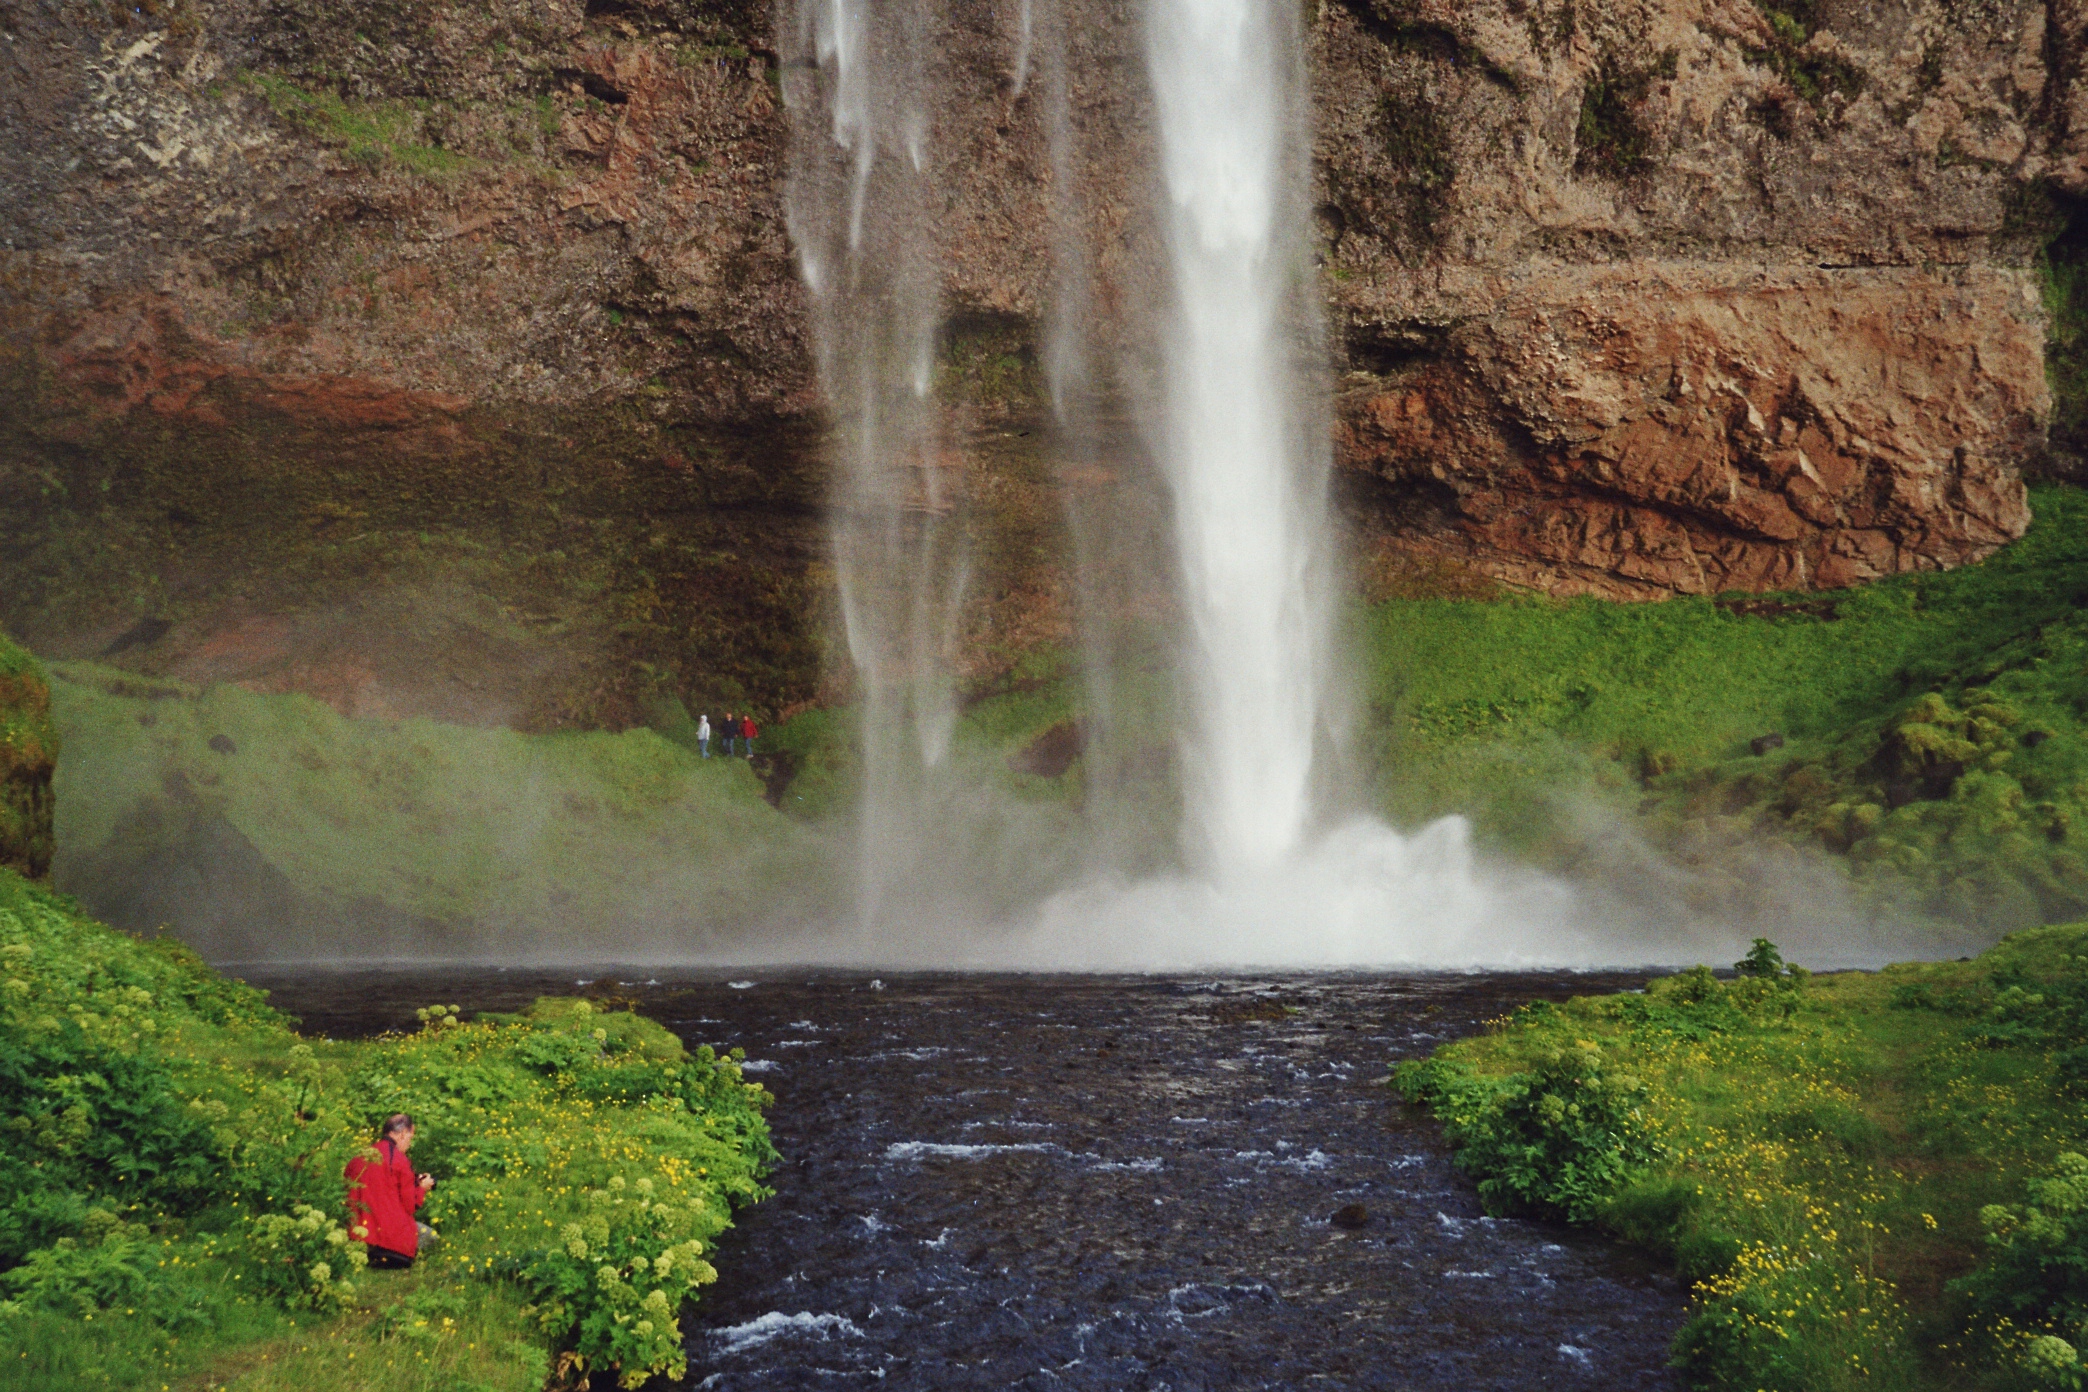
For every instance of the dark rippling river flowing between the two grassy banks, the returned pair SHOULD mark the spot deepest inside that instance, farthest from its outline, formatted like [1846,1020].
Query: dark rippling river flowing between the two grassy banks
[1112,1182]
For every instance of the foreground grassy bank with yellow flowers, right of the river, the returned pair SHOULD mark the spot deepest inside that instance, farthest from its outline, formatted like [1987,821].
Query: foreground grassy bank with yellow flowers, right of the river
[1872,1180]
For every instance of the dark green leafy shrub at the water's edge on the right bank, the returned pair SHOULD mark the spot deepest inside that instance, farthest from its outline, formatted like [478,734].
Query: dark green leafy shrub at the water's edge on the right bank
[1555,1143]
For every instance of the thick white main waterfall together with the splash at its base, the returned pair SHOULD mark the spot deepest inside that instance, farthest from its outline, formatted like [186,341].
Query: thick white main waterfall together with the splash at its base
[1245,454]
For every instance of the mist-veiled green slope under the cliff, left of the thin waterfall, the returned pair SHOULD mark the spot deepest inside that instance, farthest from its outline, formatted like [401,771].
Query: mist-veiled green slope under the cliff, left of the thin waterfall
[469,836]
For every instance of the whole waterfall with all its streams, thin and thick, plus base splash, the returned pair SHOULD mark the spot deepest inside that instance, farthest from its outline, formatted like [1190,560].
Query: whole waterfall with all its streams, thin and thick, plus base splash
[1212,383]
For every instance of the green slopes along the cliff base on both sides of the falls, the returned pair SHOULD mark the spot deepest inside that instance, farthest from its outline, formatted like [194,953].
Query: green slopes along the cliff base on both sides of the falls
[1932,750]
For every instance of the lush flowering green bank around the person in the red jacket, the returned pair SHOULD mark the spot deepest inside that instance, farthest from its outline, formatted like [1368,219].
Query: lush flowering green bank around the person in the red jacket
[174,1205]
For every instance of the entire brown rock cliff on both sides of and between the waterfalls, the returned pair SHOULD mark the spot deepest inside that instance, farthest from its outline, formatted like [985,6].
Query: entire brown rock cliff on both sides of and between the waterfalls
[450,358]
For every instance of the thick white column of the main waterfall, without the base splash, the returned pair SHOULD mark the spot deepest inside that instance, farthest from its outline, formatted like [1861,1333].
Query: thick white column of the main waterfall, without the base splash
[1248,477]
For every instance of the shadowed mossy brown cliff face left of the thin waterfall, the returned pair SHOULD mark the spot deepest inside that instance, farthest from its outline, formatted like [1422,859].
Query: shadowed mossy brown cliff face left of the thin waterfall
[435,360]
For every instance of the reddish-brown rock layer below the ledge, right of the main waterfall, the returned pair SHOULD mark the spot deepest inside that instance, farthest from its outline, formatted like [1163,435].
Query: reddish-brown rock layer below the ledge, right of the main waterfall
[1609,431]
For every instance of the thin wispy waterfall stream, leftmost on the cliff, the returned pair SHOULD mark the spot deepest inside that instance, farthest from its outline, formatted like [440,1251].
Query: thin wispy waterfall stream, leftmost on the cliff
[861,210]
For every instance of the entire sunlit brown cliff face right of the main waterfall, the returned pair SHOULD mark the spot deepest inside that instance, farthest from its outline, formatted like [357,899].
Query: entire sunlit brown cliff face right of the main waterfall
[1696,297]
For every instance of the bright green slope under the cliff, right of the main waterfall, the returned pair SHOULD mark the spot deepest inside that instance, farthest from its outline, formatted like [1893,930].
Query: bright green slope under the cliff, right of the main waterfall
[1932,725]
